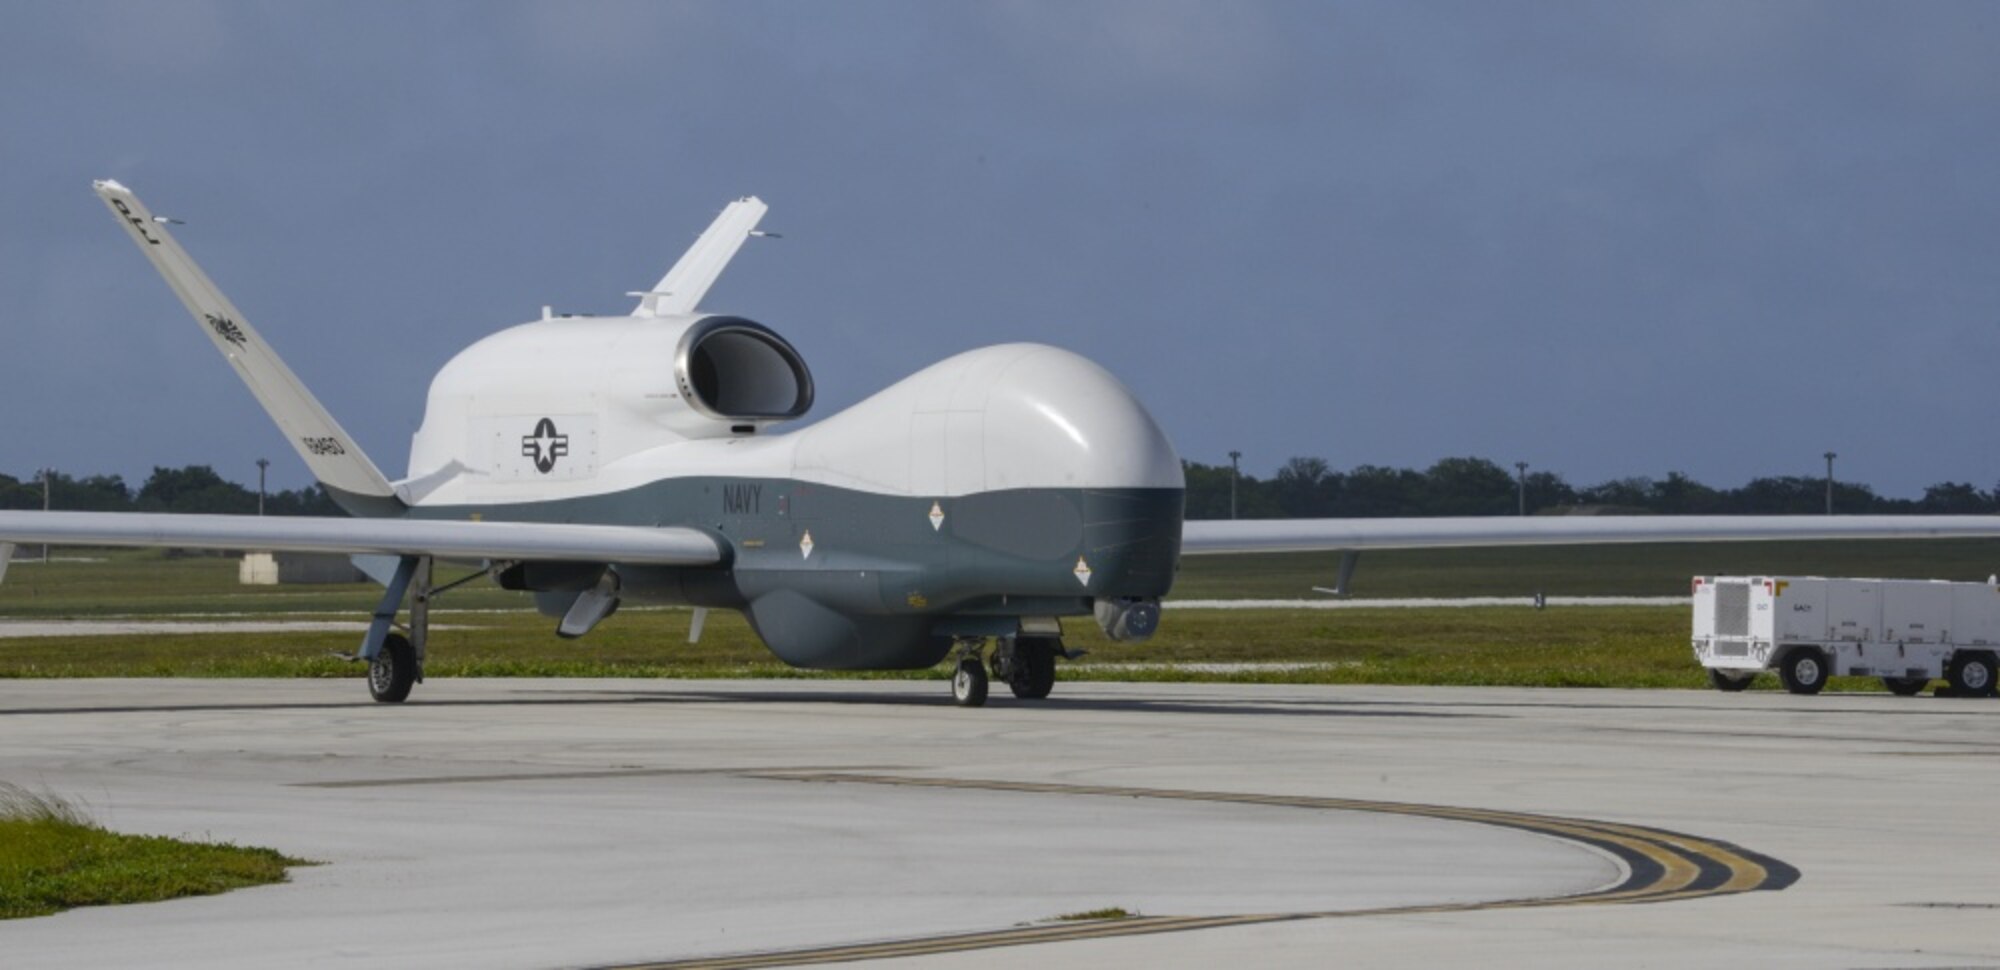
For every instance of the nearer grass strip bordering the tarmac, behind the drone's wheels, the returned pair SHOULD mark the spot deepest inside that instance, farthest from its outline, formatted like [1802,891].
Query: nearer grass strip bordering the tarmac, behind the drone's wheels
[1599,647]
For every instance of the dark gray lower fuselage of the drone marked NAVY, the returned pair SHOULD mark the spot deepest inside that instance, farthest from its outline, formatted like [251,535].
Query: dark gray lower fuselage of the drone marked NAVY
[855,581]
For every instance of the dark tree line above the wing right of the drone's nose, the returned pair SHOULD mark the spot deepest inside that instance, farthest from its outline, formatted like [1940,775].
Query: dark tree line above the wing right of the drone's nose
[1477,487]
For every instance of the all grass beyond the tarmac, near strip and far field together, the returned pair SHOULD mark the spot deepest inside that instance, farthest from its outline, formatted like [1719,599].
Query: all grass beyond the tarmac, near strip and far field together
[1629,647]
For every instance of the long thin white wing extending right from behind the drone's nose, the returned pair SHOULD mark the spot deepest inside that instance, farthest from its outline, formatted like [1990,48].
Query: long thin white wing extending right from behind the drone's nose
[1343,535]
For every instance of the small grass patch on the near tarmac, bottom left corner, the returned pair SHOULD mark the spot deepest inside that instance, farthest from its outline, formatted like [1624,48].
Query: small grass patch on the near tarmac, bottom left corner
[55,859]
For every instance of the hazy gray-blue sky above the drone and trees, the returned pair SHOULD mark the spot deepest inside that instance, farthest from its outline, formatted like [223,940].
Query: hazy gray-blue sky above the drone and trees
[1603,239]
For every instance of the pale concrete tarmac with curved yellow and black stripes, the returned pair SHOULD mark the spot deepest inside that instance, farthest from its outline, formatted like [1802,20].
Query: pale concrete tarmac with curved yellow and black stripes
[611,823]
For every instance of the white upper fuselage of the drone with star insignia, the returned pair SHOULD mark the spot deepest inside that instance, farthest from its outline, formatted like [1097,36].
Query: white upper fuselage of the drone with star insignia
[609,391]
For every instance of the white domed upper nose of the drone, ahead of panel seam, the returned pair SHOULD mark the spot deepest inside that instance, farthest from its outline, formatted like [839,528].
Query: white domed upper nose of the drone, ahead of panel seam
[1059,421]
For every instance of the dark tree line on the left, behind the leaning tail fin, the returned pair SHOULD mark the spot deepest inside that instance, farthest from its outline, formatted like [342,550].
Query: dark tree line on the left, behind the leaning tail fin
[193,489]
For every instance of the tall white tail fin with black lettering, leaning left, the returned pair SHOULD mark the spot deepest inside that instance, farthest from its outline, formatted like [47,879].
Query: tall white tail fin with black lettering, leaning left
[319,439]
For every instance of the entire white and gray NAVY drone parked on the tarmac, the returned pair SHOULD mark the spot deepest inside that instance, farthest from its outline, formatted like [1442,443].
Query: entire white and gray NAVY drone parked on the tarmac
[961,513]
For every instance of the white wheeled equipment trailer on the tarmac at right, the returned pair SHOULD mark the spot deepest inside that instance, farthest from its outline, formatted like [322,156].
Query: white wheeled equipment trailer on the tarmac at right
[1811,629]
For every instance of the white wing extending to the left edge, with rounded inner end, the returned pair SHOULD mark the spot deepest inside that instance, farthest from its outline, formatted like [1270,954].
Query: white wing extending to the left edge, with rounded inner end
[385,537]
